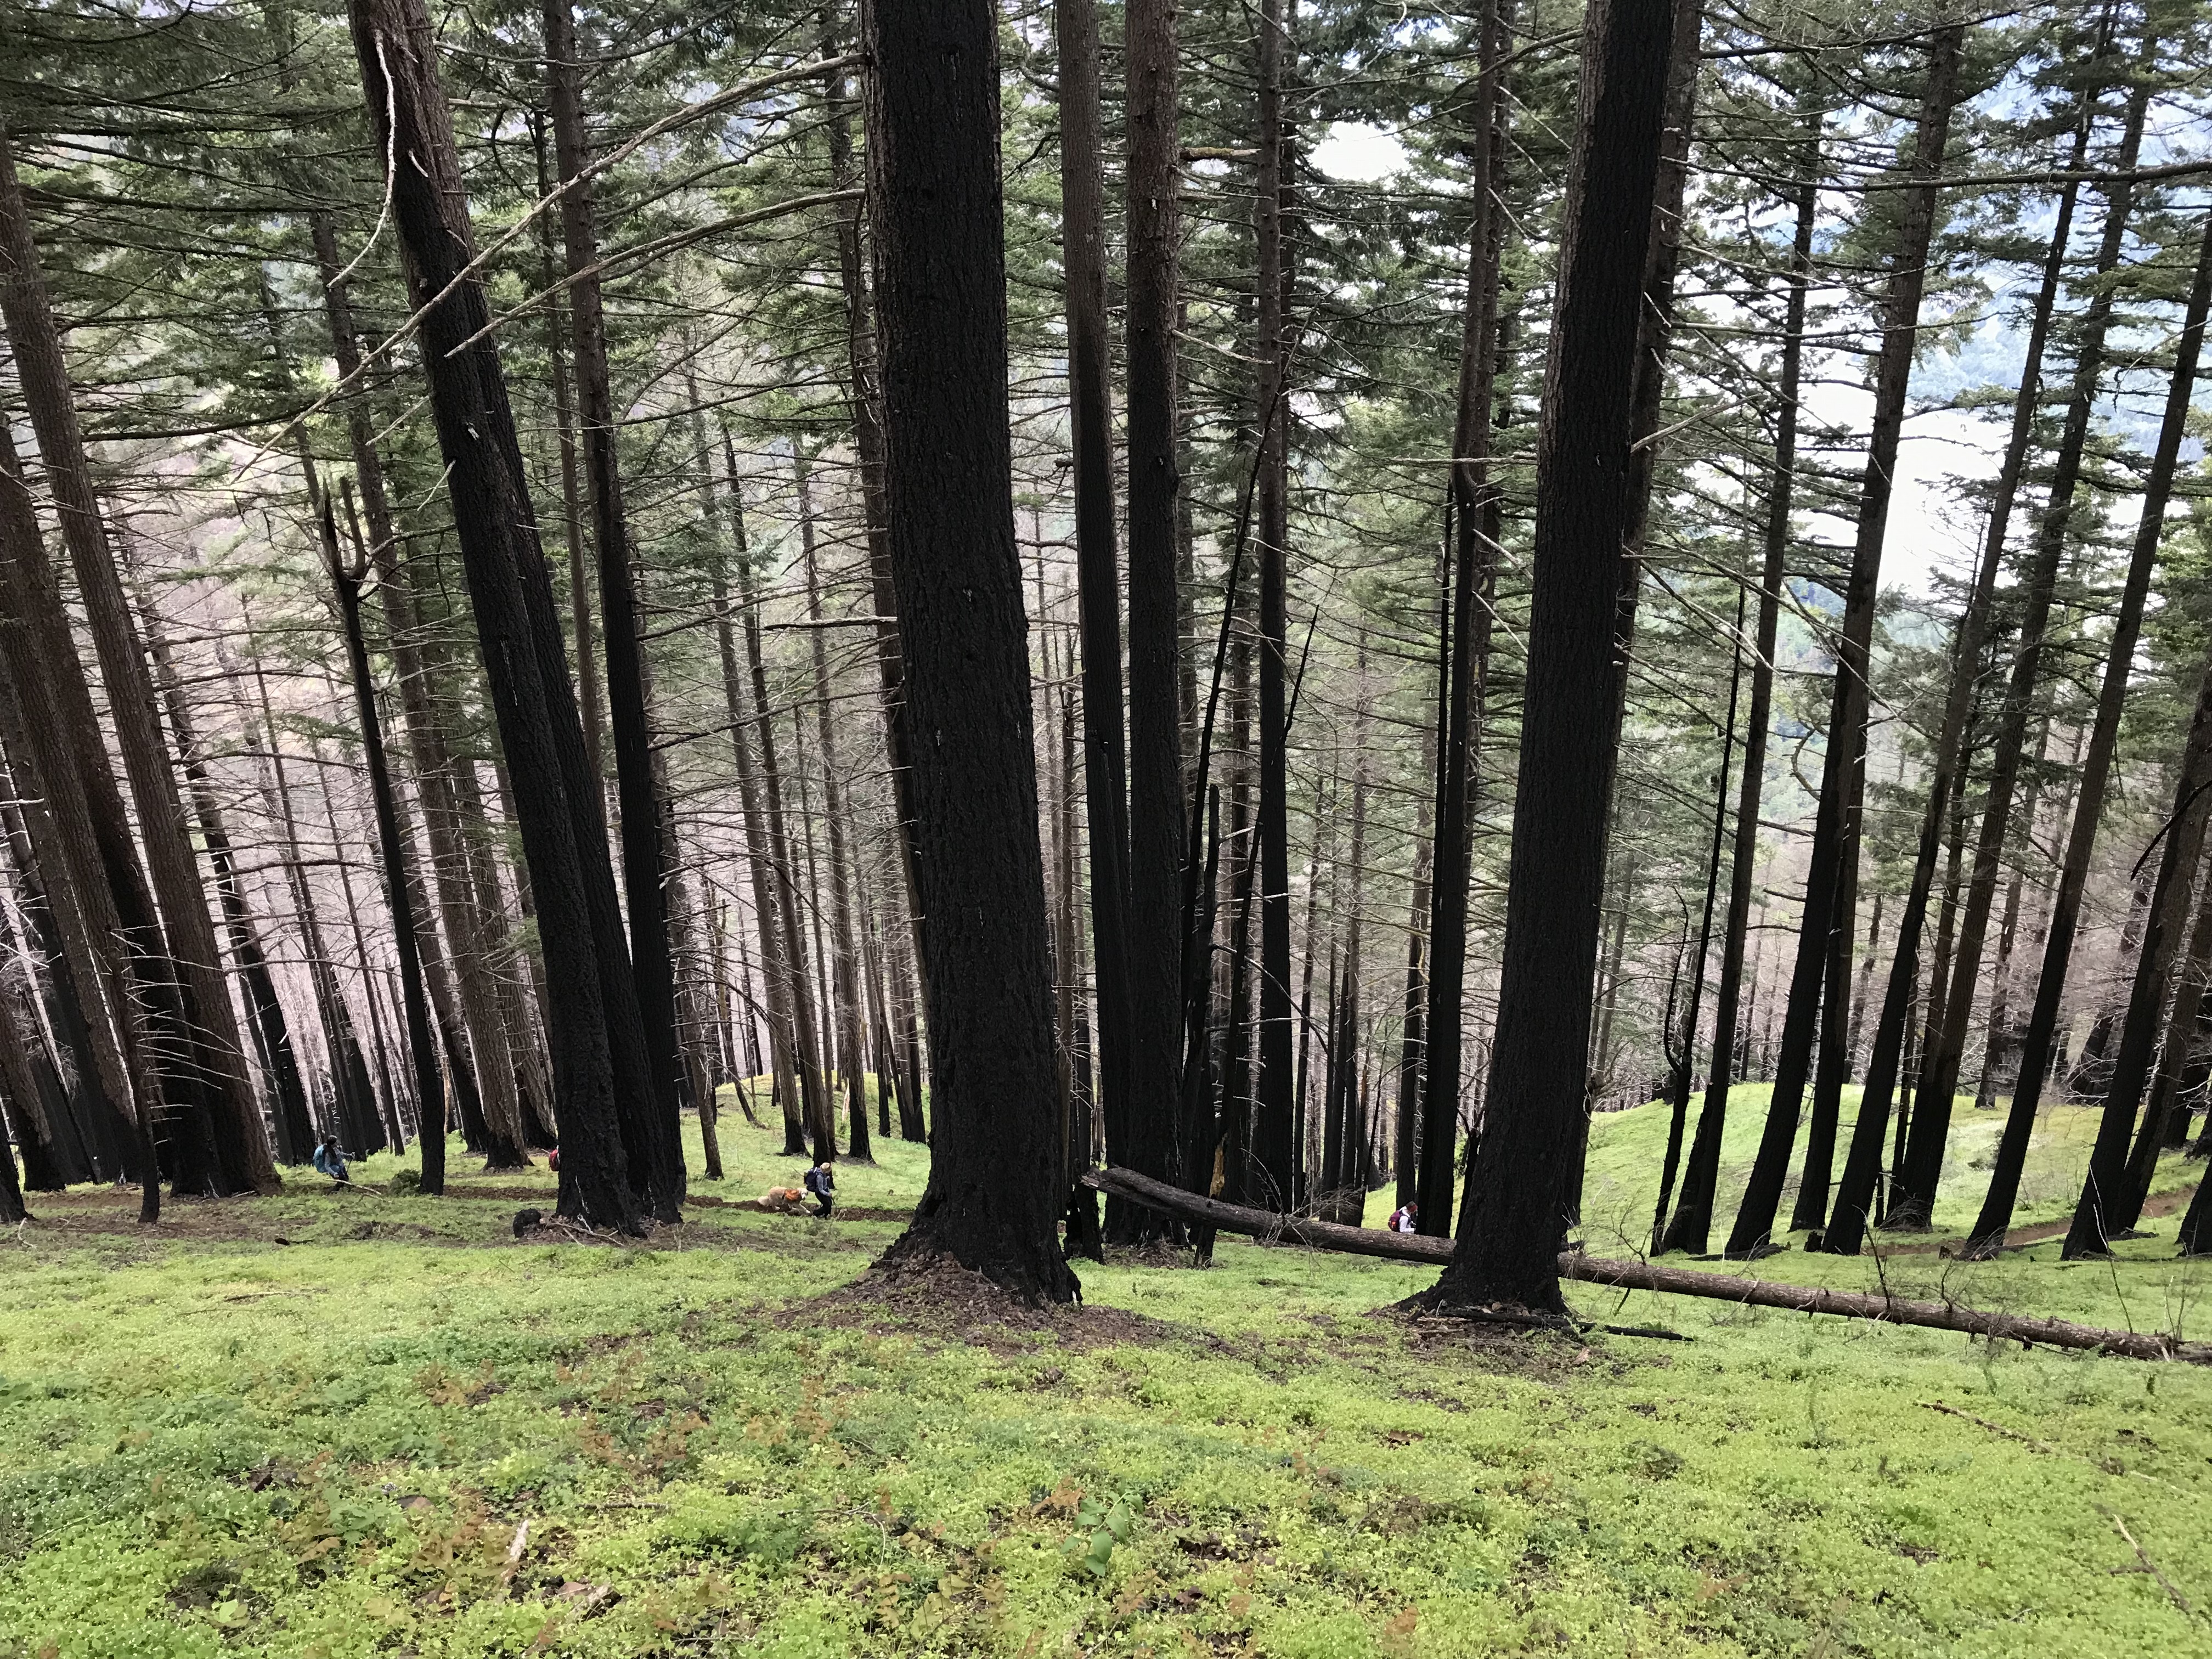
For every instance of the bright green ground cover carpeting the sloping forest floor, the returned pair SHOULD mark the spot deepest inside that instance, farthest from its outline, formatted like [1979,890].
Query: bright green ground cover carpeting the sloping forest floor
[340,1423]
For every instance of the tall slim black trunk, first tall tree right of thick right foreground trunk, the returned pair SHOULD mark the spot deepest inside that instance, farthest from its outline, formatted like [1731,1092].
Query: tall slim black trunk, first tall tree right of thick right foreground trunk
[1702,1173]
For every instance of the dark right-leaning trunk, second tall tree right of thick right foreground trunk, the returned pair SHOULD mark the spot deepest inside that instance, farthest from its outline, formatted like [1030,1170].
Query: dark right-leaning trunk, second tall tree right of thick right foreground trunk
[1835,826]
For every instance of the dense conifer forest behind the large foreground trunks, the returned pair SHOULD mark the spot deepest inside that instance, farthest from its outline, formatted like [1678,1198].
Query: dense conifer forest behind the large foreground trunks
[1908,656]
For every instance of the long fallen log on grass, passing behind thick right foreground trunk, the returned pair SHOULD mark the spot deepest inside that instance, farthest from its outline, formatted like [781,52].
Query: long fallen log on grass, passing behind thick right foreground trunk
[1640,1275]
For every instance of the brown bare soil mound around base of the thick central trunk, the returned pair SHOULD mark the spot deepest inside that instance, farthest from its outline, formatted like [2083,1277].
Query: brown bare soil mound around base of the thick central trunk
[950,1302]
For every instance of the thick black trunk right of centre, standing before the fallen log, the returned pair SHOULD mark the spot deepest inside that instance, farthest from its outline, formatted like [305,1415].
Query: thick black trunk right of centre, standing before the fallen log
[1512,1220]
